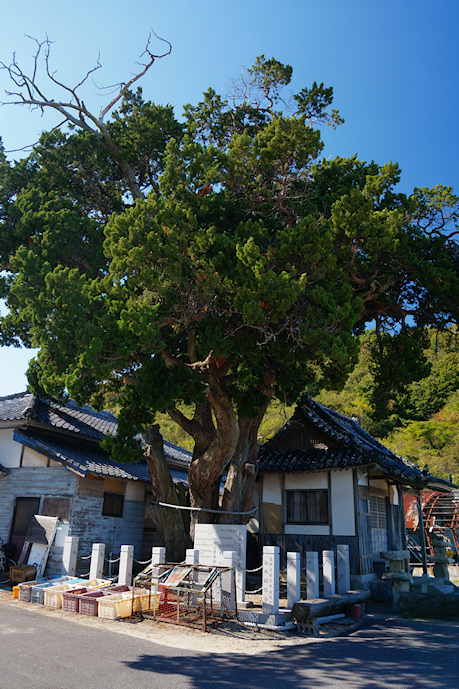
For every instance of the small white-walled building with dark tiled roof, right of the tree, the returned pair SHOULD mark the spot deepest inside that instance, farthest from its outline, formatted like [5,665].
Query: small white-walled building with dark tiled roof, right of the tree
[325,481]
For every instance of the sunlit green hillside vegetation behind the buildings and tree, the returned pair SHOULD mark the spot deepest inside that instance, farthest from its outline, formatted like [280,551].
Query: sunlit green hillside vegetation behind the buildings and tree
[419,421]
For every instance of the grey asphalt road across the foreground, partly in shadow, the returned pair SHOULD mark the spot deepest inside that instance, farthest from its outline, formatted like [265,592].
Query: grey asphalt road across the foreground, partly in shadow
[38,652]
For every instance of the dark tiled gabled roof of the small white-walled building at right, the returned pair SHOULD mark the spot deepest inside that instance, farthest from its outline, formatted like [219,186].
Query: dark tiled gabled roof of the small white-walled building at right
[354,447]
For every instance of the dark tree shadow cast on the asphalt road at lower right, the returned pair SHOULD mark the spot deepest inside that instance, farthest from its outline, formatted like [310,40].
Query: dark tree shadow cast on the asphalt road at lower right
[392,654]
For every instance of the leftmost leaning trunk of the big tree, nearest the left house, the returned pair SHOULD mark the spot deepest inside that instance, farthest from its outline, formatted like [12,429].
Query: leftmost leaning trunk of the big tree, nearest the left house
[172,524]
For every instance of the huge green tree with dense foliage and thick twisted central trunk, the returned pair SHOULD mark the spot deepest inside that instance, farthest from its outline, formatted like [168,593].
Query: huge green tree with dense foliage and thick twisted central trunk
[240,274]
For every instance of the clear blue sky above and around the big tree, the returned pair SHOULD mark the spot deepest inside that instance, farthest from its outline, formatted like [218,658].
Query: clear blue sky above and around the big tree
[394,67]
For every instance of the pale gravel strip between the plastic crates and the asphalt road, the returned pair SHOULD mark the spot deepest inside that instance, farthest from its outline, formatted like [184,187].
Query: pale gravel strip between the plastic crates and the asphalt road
[228,638]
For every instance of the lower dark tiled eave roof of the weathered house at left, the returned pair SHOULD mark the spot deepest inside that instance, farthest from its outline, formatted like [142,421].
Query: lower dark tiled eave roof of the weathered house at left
[86,458]
